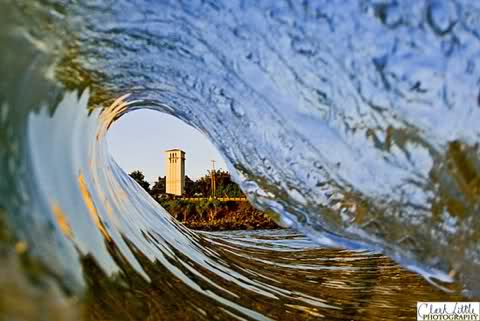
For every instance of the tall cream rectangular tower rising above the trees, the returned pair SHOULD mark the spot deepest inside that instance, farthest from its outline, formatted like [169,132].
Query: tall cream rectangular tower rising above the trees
[175,171]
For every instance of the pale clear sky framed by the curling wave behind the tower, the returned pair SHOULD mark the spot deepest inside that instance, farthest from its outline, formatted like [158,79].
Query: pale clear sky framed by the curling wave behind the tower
[139,139]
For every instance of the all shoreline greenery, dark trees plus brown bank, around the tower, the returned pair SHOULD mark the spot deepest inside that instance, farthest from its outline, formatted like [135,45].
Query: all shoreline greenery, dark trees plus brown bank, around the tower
[201,209]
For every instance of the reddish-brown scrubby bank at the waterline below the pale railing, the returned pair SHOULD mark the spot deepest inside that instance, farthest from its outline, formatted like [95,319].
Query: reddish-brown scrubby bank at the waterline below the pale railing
[213,215]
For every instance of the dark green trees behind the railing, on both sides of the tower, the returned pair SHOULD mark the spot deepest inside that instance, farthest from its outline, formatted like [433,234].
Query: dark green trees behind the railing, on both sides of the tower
[201,187]
